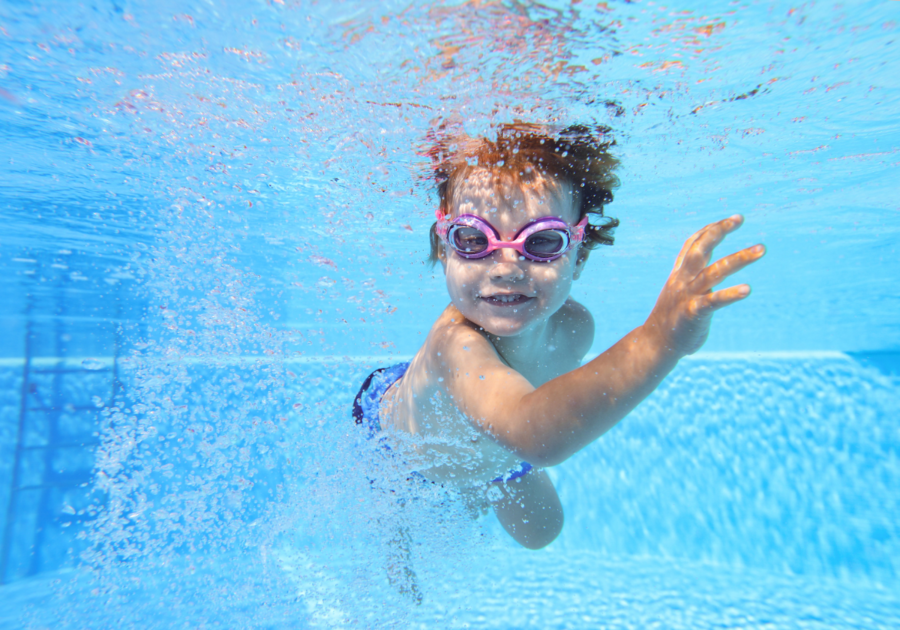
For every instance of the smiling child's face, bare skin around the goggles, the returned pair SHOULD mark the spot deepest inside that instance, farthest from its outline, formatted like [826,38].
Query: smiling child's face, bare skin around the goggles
[505,293]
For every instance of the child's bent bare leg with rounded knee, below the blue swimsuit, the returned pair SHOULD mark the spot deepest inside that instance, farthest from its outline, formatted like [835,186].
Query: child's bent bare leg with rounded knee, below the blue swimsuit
[529,509]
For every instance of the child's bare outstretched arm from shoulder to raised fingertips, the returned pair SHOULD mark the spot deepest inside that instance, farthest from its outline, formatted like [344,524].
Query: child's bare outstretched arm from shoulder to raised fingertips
[547,425]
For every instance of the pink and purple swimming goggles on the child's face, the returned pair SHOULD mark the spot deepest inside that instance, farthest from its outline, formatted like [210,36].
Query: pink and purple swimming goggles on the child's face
[541,240]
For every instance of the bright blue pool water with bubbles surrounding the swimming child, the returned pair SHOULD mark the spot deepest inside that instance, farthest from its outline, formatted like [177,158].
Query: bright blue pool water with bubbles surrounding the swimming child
[214,221]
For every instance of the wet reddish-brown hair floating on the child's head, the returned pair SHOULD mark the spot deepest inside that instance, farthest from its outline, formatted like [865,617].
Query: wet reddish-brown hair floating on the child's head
[578,155]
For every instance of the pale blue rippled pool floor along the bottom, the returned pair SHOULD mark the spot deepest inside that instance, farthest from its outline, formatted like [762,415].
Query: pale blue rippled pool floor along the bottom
[516,589]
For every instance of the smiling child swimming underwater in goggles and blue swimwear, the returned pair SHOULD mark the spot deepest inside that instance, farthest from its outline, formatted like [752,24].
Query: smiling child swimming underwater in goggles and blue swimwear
[498,391]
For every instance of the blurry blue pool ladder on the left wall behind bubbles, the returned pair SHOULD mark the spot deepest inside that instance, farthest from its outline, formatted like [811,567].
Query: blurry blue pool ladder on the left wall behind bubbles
[50,496]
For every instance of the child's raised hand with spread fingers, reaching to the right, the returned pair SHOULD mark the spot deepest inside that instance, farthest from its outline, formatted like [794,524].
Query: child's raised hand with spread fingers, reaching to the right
[684,309]
